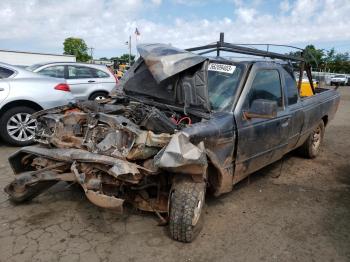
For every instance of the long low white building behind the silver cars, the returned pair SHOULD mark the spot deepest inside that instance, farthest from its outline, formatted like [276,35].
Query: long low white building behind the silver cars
[29,58]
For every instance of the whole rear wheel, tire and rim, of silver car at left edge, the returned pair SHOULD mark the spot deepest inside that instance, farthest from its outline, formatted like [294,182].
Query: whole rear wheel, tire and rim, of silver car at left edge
[17,127]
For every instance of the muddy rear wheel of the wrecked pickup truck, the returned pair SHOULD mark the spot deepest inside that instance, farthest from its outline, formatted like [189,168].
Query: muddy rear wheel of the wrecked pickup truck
[311,147]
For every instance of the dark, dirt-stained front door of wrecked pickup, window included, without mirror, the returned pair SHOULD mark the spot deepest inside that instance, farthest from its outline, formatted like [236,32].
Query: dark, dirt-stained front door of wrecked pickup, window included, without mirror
[261,141]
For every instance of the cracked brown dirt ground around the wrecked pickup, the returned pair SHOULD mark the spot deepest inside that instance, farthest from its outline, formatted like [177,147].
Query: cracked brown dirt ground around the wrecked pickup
[295,210]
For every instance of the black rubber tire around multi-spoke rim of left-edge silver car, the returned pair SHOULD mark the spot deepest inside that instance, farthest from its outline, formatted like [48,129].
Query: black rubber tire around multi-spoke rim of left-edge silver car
[3,125]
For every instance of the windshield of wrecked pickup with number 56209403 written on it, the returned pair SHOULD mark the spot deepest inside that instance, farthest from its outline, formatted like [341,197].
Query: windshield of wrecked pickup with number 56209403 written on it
[223,81]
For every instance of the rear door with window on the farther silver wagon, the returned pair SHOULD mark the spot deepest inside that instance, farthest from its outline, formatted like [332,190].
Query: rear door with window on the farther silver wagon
[81,80]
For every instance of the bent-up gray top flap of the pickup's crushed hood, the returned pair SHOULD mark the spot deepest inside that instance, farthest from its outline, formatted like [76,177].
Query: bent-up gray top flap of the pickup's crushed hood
[164,61]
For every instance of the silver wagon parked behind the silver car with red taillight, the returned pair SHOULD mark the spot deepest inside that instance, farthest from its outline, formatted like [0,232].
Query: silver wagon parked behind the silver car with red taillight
[87,81]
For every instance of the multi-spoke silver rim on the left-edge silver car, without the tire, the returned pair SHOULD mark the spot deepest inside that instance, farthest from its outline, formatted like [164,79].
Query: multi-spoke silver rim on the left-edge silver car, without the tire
[21,127]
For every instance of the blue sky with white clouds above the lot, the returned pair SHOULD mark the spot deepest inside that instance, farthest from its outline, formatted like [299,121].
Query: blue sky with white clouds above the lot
[42,25]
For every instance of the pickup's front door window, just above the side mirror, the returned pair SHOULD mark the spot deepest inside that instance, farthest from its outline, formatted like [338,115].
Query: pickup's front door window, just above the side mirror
[266,85]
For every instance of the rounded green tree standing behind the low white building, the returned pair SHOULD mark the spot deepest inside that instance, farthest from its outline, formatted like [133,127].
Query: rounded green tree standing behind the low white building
[77,47]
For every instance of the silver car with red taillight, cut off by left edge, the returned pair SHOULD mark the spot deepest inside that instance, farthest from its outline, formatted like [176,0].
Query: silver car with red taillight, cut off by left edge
[22,93]
